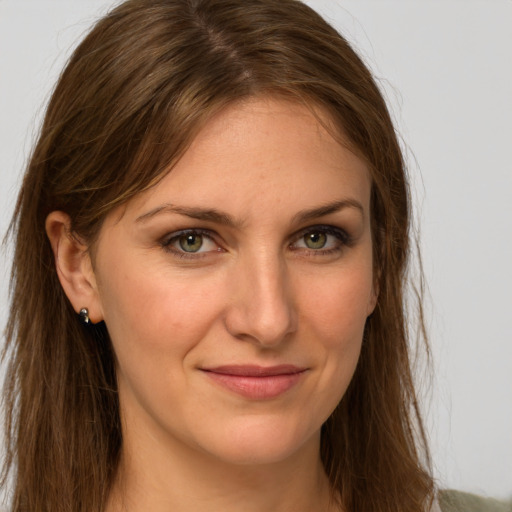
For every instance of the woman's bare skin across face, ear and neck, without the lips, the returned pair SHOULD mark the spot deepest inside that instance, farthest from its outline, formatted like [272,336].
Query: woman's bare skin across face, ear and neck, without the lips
[272,286]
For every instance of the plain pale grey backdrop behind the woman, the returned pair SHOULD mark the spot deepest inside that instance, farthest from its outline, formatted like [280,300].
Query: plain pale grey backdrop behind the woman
[446,70]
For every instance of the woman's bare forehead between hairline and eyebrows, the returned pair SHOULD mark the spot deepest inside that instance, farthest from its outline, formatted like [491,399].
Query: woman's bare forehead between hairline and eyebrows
[259,153]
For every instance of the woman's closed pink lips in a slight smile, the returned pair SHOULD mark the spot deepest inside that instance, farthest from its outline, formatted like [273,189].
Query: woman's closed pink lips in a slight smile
[256,382]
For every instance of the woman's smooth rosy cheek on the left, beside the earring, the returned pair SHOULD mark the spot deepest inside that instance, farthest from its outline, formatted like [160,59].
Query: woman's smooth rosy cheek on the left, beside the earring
[155,320]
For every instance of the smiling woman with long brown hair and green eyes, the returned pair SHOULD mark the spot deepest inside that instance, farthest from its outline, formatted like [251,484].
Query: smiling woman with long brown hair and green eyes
[211,249]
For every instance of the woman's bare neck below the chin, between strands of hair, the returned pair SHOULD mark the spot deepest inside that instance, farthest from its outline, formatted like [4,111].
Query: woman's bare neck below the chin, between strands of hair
[179,478]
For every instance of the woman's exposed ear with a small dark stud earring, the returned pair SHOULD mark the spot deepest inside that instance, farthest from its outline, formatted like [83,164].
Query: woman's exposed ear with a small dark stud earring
[74,266]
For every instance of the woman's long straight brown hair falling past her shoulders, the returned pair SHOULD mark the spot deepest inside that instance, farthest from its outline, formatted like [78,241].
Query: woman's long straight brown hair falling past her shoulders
[127,105]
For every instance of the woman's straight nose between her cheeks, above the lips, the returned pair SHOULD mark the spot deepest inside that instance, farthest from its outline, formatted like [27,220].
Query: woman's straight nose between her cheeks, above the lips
[262,309]
